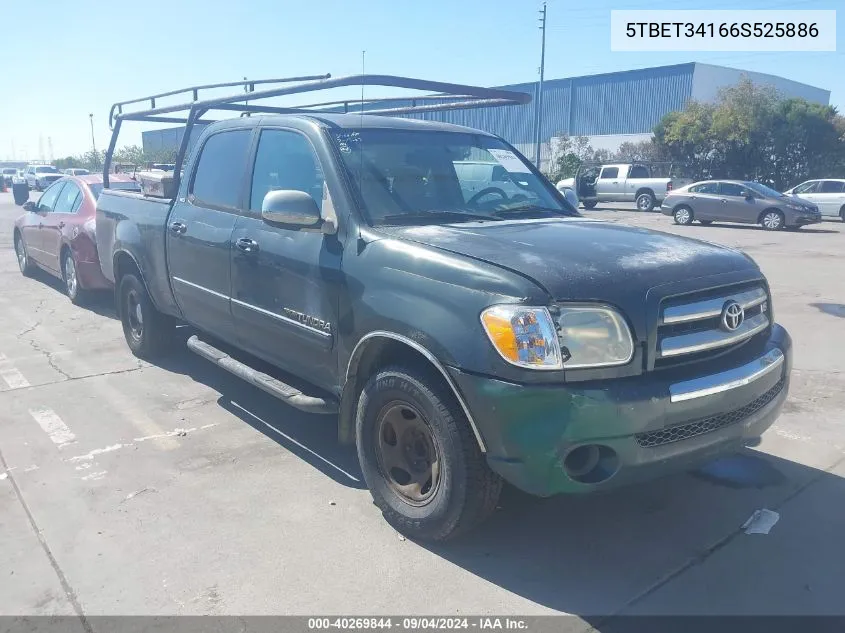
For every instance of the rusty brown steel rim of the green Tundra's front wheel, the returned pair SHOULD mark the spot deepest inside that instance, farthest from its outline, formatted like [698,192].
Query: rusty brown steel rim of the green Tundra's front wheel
[408,454]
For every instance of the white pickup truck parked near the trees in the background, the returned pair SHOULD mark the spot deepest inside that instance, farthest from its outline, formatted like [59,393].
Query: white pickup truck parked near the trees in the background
[623,182]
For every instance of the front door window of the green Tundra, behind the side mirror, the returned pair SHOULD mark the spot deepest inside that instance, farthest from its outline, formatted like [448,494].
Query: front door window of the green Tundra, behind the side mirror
[285,160]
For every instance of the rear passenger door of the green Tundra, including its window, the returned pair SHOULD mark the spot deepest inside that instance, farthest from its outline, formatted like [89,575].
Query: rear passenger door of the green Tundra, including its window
[199,232]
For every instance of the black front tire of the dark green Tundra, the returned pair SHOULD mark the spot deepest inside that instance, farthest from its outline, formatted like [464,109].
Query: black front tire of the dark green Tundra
[466,491]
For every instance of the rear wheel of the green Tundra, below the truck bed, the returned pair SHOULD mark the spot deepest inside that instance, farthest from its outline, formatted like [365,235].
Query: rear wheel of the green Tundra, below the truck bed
[148,332]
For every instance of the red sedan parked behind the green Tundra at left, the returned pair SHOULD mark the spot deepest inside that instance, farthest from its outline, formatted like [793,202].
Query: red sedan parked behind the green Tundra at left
[57,233]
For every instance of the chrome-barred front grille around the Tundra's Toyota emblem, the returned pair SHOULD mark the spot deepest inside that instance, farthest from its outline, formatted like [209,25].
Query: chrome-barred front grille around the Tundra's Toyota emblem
[690,327]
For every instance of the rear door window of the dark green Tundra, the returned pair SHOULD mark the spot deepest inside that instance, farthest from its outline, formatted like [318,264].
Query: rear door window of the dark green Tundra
[217,181]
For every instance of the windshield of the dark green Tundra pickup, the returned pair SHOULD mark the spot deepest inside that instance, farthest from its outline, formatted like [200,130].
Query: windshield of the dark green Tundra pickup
[424,177]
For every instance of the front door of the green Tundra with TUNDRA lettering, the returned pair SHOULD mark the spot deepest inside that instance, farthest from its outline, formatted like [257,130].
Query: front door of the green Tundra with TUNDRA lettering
[285,280]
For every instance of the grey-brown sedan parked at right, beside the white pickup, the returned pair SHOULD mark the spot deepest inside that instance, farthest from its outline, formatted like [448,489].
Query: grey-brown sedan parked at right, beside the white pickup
[738,201]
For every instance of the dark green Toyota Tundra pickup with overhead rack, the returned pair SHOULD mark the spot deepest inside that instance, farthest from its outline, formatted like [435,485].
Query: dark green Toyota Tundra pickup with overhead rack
[460,341]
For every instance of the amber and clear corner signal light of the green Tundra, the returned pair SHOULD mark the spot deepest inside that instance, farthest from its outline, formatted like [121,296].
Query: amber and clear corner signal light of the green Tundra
[523,336]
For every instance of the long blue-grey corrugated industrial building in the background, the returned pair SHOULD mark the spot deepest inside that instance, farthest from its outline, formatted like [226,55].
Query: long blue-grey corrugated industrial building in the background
[609,108]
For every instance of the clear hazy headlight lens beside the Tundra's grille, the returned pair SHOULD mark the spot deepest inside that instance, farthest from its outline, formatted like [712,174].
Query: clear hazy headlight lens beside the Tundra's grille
[593,336]
